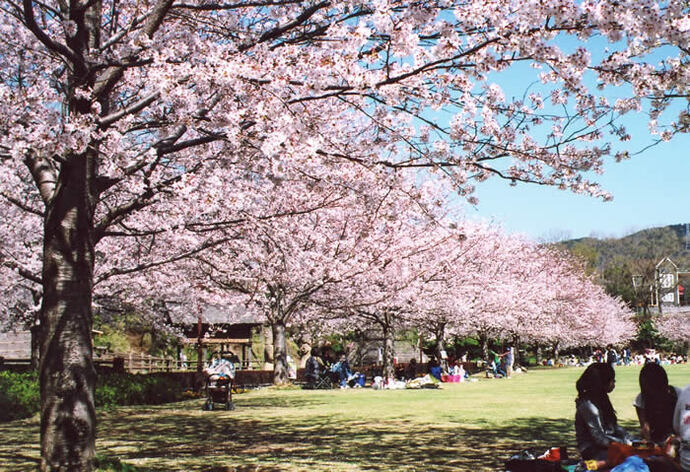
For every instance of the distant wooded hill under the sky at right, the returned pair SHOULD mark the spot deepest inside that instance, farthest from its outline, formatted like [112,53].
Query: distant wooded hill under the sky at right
[671,241]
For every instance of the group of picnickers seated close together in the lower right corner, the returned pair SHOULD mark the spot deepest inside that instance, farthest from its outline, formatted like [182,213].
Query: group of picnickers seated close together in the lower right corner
[663,411]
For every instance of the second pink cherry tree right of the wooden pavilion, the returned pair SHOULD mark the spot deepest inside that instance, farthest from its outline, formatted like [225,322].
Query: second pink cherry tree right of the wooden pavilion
[398,257]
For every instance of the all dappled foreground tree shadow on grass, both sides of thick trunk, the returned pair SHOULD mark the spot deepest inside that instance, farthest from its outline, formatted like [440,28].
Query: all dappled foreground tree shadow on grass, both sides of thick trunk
[181,437]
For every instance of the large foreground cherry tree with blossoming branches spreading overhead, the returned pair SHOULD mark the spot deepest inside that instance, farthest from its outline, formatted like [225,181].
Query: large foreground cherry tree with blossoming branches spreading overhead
[112,111]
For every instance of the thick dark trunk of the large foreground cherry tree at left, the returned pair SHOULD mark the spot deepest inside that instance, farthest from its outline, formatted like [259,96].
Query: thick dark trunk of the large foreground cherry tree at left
[67,375]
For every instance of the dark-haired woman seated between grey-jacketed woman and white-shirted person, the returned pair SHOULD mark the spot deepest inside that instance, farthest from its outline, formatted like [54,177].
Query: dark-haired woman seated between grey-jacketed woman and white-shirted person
[655,403]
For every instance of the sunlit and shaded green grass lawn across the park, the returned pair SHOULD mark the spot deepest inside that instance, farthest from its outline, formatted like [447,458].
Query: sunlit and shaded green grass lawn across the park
[461,427]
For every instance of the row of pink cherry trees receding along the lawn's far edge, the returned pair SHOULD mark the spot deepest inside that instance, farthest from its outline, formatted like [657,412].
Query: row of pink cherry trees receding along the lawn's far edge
[387,263]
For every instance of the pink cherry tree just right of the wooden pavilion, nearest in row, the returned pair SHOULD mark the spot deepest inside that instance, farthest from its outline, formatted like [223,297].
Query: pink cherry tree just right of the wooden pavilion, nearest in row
[283,264]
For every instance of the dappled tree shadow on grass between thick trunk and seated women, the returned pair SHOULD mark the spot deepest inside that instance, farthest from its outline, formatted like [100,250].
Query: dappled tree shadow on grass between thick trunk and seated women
[227,443]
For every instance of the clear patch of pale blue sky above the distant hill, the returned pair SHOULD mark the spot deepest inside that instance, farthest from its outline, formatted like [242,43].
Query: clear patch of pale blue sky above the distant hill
[651,189]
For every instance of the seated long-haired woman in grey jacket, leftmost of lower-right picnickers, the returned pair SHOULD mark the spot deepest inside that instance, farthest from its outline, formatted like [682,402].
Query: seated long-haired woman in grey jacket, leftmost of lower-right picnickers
[596,424]
